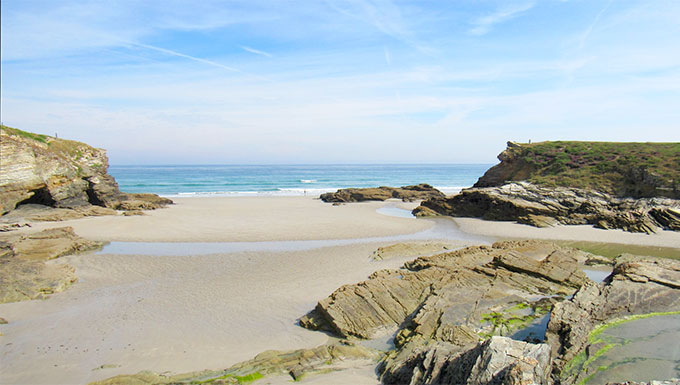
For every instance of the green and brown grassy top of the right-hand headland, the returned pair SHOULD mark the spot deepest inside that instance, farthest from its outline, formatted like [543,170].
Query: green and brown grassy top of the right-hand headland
[622,169]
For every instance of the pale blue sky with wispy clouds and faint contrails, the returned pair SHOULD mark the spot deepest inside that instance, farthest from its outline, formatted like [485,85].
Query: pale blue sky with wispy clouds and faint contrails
[338,81]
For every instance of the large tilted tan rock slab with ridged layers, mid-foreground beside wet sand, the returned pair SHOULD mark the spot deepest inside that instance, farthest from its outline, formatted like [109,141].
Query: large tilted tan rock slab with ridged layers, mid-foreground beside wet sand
[447,287]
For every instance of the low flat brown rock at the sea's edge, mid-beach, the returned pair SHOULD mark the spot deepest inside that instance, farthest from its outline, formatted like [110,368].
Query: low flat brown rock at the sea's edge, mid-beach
[406,193]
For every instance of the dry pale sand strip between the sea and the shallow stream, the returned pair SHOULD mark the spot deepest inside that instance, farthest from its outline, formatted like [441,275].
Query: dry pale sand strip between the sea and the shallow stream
[224,219]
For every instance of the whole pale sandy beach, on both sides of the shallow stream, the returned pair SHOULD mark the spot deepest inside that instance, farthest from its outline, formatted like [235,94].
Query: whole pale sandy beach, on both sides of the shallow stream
[179,313]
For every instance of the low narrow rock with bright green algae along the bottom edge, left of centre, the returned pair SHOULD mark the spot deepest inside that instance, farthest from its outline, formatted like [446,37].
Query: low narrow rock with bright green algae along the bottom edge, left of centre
[296,363]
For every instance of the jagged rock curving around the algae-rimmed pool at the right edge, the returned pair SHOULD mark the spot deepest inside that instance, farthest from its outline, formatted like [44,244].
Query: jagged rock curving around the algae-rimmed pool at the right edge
[638,285]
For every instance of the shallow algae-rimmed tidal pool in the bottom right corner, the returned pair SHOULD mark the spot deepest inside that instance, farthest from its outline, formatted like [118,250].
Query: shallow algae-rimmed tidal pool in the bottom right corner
[641,350]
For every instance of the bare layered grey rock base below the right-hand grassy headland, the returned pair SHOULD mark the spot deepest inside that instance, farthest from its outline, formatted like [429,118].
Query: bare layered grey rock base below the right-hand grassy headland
[542,206]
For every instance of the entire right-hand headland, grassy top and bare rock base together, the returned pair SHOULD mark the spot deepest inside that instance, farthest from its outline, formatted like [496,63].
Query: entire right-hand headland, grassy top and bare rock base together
[628,186]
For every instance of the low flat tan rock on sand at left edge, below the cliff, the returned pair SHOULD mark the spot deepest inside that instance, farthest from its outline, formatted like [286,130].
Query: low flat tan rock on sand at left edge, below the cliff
[23,272]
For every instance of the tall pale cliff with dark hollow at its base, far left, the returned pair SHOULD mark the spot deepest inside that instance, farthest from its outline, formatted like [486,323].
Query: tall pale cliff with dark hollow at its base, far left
[59,173]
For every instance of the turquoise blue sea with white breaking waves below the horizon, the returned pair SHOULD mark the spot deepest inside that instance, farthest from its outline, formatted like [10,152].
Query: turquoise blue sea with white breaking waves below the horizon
[263,180]
